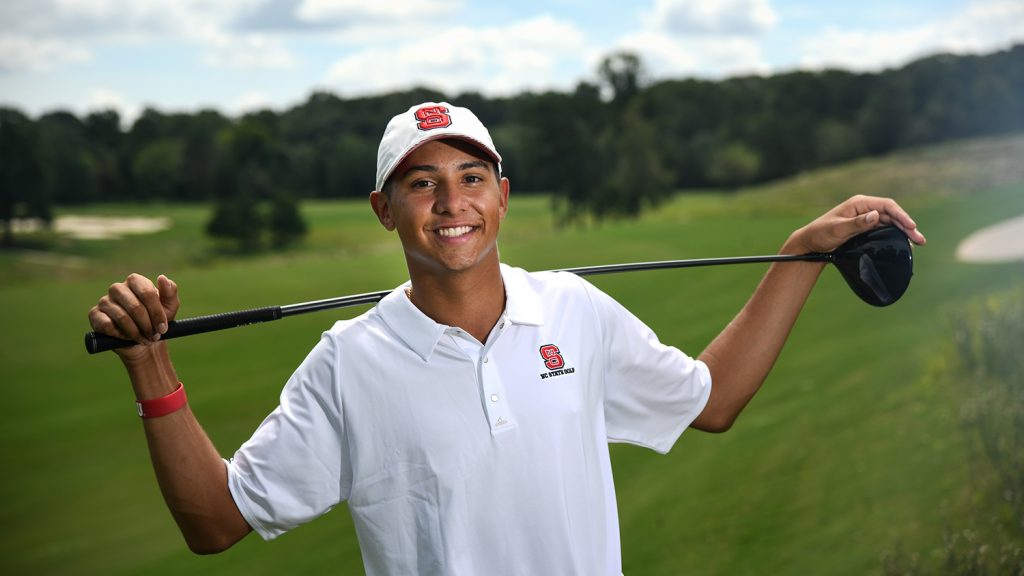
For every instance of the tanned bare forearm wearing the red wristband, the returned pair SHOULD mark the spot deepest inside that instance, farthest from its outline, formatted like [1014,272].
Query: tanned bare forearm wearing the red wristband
[189,469]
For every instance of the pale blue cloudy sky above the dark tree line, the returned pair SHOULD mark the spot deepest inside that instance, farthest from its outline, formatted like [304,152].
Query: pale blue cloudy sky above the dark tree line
[238,56]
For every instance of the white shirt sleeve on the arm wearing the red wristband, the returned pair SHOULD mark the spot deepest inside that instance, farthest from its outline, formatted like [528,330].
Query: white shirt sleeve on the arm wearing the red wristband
[295,468]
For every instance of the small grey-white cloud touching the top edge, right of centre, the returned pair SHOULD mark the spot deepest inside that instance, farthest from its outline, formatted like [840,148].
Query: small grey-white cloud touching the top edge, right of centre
[689,18]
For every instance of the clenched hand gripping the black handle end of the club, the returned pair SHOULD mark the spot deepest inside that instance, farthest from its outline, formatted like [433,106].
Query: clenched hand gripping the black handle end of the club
[137,310]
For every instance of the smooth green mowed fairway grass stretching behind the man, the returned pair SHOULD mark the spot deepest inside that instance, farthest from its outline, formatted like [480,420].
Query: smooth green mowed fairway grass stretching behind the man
[851,450]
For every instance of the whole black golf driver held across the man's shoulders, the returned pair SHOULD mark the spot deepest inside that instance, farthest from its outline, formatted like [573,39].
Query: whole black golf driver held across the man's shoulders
[877,265]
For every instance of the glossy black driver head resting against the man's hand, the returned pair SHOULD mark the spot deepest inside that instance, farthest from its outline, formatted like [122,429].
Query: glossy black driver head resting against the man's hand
[878,265]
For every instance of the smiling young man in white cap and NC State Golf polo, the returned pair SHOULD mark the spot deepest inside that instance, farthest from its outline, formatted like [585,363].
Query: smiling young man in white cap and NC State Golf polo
[465,419]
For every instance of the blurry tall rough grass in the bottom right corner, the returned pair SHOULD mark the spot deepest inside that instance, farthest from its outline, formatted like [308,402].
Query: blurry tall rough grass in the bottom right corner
[986,371]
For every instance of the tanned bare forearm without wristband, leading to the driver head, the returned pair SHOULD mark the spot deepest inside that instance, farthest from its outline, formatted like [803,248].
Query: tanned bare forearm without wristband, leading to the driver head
[743,355]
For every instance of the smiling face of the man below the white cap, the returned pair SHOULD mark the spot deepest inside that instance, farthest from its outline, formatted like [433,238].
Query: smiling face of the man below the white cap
[447,203]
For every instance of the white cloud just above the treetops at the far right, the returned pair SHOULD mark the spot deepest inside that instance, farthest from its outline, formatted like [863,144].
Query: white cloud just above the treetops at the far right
[983,26]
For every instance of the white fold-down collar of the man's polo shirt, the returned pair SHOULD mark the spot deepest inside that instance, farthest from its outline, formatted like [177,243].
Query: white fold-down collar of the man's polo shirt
[421,335]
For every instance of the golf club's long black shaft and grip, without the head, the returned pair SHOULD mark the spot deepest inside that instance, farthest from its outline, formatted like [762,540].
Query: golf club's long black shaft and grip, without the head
[96,343]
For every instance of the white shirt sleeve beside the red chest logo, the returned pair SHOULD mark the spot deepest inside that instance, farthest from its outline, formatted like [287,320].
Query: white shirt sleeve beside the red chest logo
[653,392]
